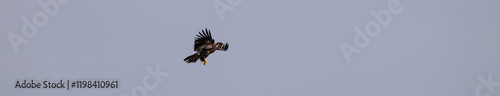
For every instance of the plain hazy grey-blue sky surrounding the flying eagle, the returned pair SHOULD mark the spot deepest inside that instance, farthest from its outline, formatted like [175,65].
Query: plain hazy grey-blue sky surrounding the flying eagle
[277,47]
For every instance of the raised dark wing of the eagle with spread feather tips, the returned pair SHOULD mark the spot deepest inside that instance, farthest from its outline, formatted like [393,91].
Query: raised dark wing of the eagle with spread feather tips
[203,39]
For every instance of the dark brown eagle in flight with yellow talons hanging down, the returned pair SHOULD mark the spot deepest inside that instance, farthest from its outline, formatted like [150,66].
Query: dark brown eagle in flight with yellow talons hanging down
[204,46]
